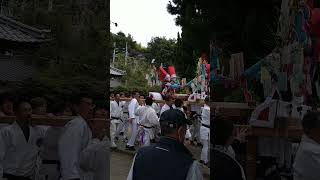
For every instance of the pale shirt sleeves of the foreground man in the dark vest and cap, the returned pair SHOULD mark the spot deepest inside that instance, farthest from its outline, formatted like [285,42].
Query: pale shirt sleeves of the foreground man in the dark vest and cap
[194,172]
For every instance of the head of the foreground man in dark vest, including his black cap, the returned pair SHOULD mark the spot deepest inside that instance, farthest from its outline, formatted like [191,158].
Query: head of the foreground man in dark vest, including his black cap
[174,124]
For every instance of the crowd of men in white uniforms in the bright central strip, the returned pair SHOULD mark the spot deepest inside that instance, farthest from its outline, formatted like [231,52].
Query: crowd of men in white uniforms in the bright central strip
[139,120]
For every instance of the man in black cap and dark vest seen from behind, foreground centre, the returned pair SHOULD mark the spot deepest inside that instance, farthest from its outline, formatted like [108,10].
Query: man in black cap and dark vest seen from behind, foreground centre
[169,157]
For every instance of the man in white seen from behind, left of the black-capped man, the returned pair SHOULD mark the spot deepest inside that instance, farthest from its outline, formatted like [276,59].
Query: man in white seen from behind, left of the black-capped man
[148,121]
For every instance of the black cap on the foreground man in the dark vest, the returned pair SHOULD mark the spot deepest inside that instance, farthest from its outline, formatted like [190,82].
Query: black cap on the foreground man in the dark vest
[174,118]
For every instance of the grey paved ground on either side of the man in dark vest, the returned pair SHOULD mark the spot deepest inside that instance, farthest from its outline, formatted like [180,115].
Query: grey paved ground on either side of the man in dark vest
[121,160]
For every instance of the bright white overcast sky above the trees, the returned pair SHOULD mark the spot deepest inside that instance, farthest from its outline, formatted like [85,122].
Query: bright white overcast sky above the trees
[143,19]
